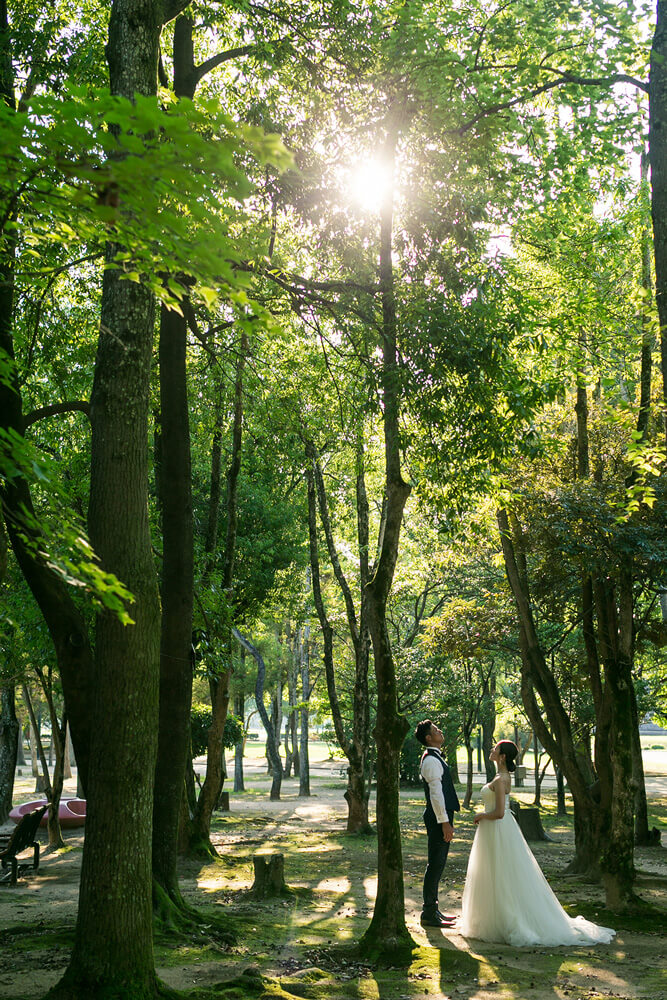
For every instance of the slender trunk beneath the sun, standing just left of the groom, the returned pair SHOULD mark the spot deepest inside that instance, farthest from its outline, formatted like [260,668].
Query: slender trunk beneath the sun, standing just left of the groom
[387,933]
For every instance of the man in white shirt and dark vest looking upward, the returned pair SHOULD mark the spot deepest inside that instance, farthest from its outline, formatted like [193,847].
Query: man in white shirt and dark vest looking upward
[441,804]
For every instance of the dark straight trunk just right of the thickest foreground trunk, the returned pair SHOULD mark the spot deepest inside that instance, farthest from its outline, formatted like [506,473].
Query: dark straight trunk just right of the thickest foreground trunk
[177,601]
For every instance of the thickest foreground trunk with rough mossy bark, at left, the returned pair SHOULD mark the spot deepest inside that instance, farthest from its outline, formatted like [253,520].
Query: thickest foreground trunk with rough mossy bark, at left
[113,949]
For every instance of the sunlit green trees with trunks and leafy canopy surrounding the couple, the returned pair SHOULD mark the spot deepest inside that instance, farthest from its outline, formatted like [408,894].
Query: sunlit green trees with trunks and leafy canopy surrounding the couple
[333,356]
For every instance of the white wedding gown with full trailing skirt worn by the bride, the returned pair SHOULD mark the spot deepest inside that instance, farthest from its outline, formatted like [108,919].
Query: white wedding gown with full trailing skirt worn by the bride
[507,898]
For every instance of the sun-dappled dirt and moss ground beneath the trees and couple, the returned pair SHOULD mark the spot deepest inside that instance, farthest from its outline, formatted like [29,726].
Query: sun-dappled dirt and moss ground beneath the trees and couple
[334,879]
